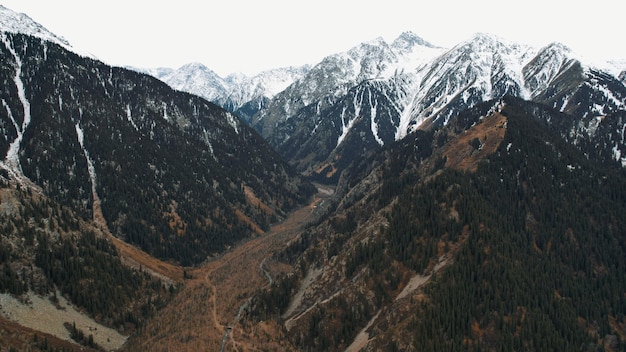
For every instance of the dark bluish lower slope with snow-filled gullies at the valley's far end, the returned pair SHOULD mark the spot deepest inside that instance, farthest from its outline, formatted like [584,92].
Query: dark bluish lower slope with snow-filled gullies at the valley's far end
[323,142]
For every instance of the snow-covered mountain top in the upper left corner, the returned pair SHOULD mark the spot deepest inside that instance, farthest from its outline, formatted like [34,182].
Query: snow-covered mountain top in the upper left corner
[13,22]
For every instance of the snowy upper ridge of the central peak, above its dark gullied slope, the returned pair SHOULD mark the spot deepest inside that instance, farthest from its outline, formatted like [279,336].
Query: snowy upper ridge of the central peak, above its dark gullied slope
[330,80]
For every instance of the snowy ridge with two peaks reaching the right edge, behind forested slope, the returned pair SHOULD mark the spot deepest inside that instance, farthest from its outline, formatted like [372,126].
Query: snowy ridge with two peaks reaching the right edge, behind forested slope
[488,67]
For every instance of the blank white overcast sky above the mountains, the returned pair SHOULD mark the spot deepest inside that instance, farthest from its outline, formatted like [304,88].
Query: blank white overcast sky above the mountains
[249,36]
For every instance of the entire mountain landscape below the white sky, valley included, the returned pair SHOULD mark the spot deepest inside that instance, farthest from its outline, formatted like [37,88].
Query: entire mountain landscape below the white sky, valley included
[468,198]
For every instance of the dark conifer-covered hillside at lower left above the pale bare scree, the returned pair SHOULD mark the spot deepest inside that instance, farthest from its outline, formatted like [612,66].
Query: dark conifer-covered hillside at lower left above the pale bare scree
[47,249]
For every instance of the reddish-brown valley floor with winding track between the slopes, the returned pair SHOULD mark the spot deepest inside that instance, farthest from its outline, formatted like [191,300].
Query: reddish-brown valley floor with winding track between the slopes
[205,314]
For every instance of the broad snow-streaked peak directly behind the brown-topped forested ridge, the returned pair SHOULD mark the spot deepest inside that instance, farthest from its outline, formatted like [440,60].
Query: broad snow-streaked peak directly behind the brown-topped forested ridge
[479,69]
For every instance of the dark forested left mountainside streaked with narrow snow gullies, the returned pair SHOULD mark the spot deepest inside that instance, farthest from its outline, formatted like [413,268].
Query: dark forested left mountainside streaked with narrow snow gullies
[166,170]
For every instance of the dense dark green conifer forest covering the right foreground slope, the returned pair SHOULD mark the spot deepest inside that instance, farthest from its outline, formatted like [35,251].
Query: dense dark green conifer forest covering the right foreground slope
[543,266]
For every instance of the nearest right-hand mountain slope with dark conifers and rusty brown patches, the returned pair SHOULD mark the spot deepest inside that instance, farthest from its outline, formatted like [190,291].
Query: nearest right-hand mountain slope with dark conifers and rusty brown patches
[489,233]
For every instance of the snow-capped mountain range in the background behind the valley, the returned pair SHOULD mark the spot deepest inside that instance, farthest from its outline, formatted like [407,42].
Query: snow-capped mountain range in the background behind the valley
[375,93]
